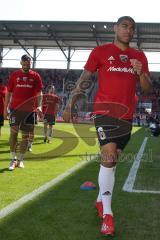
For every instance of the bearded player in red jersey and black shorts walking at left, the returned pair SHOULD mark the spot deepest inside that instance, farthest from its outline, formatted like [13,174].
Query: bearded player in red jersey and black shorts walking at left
[23,87]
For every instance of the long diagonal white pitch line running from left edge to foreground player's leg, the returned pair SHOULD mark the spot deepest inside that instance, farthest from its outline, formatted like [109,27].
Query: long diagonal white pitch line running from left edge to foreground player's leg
[15,205]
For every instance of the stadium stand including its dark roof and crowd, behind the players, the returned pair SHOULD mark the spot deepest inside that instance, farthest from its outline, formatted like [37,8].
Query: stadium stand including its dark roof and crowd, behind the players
[72,36]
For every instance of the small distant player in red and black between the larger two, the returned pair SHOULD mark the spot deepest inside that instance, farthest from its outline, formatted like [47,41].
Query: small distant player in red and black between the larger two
[50,107]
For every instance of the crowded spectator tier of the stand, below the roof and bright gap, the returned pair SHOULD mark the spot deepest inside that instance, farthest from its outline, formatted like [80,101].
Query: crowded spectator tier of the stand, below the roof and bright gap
[148,106]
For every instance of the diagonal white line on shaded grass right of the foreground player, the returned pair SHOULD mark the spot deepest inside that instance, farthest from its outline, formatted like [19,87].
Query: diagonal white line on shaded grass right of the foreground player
[129,183]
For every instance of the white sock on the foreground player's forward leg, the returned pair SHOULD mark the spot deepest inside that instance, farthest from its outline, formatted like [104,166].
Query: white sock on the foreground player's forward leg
[106,181]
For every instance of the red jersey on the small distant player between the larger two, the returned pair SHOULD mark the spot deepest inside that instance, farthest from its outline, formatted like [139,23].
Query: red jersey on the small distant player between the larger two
[49,103]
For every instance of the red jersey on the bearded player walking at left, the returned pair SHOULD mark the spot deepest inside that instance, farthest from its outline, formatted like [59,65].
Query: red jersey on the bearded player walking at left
[24,87]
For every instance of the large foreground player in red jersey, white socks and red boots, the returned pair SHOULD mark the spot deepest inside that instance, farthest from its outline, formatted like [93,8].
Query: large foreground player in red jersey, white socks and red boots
[119,67]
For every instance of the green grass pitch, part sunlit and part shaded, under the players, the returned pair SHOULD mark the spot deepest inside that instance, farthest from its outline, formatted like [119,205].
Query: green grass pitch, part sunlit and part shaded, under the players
[65,211]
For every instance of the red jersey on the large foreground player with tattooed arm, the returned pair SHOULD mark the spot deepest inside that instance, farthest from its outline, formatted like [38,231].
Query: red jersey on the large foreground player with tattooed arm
[116,78]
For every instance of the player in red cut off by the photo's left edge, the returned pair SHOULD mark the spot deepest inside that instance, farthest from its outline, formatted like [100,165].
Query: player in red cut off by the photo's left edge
[3,91]
